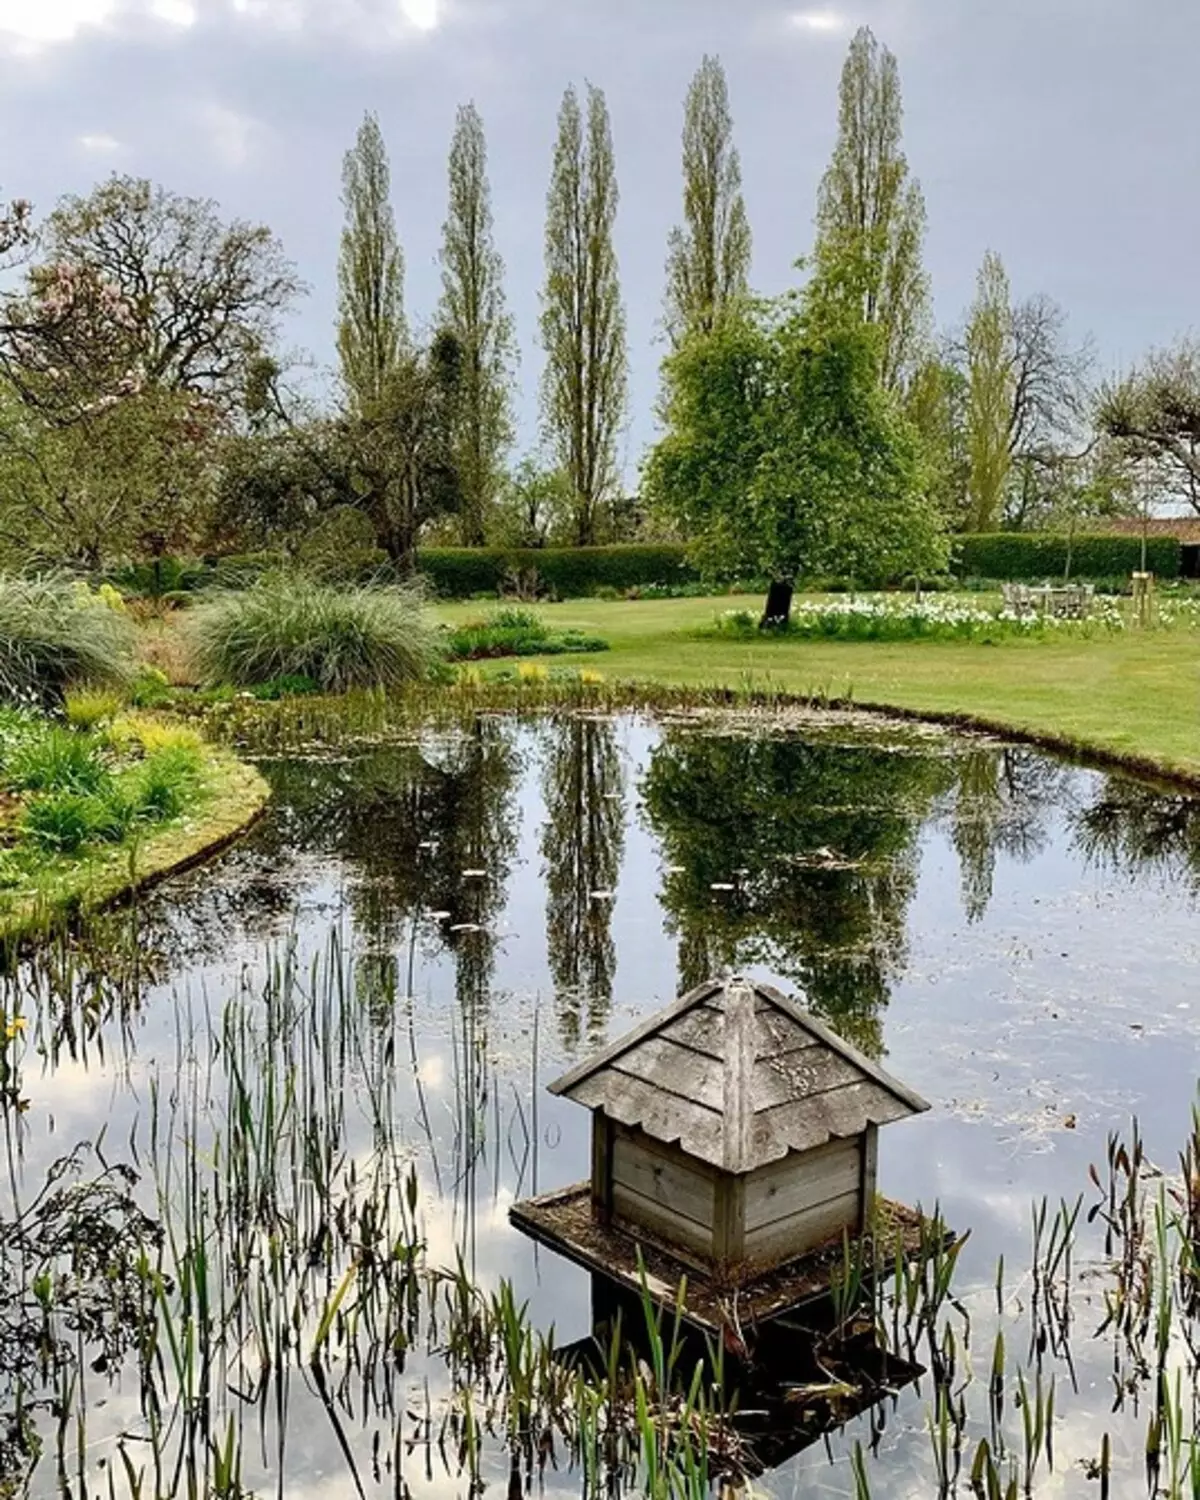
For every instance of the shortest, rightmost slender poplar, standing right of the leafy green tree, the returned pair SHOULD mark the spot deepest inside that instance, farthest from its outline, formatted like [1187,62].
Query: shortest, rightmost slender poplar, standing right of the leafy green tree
[991,377]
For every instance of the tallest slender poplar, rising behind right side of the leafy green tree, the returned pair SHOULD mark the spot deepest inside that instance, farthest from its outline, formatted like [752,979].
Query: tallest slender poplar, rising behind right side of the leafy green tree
[872,214]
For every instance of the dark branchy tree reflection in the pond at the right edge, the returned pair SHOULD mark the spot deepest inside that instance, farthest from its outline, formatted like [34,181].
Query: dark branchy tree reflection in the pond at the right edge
[1133,827]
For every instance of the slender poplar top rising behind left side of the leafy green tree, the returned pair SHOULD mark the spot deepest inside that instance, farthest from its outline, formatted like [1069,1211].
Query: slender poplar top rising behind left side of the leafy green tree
[709,257]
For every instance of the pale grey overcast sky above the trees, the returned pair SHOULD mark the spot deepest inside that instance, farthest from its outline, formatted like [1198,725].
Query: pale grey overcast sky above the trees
[1063,134]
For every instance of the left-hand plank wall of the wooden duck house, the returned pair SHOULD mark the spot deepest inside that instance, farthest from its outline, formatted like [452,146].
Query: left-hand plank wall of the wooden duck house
[658,1189]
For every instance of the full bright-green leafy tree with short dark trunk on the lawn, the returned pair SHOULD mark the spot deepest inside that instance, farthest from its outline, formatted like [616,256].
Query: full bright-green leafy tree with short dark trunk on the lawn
[785,458]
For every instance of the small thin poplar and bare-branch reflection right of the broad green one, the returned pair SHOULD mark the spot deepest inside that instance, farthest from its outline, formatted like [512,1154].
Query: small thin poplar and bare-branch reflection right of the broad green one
[1003,803]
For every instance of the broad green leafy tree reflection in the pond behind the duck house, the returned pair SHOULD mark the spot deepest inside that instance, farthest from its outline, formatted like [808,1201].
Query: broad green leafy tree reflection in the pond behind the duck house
[820,844]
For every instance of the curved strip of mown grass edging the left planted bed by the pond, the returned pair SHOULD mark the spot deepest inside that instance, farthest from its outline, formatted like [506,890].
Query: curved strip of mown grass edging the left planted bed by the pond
[230,796]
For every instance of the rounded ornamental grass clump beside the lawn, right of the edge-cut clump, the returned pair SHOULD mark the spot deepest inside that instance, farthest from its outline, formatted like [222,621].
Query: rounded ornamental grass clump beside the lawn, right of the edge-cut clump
[290,628]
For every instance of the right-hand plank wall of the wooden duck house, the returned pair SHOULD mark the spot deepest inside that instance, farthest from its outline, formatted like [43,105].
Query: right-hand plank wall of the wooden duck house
[803,1201]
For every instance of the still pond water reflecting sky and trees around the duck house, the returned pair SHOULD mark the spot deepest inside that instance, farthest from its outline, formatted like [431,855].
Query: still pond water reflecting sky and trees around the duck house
[1013,935]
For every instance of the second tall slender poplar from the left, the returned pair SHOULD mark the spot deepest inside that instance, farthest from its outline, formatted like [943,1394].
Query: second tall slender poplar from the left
[475,310]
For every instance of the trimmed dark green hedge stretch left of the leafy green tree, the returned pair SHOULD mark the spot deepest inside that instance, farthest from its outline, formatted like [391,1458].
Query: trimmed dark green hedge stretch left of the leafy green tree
[563,572]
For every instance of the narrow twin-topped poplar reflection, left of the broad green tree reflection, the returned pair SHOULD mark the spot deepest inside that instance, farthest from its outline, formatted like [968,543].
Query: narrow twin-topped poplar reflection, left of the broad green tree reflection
[583,845]
